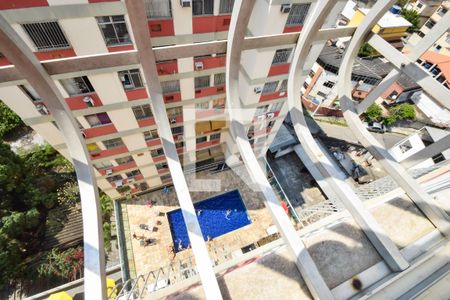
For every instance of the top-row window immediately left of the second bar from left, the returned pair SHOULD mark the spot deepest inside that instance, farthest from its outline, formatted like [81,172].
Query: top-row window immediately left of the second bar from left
[114,30]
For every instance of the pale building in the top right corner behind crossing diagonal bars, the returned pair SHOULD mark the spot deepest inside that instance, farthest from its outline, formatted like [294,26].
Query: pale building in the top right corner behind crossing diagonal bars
[442,45]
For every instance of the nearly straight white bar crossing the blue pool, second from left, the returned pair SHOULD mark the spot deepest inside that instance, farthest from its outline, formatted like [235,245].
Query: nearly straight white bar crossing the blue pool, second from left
[146,55]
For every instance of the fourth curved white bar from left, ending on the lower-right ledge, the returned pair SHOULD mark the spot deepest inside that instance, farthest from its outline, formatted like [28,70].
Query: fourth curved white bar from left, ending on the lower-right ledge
[297,75]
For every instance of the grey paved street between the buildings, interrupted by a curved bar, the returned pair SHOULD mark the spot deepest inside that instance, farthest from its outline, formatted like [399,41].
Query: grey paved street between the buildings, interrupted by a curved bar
[344,133]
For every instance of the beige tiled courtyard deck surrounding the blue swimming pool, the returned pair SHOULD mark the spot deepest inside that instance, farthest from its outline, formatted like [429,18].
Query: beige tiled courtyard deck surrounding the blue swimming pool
[152,257]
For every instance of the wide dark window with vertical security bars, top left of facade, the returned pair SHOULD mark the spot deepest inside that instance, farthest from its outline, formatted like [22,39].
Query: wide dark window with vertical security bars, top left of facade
[46,35]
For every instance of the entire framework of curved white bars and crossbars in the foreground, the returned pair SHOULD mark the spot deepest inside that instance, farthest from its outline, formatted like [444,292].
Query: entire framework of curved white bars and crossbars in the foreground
[309,45]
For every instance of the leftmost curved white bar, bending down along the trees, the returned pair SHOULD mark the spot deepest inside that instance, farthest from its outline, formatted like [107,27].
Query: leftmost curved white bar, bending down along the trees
[18,53]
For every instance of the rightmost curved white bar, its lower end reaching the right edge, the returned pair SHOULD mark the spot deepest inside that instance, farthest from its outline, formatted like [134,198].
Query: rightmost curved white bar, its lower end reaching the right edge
[398,173]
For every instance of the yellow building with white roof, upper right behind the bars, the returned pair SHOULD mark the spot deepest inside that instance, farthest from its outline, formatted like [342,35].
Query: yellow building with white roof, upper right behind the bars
[392,26]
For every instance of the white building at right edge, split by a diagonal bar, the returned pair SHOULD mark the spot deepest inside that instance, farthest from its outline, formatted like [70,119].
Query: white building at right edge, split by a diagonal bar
[418,141]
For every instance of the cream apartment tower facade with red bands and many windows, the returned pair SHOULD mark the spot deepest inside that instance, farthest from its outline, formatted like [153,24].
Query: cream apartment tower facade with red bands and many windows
[111,104]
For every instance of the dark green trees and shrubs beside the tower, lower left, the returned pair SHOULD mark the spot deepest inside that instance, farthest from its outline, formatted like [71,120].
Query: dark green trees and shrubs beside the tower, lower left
[38,197]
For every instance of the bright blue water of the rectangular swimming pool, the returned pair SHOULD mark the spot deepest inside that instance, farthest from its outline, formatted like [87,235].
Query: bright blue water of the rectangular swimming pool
[213,218]
